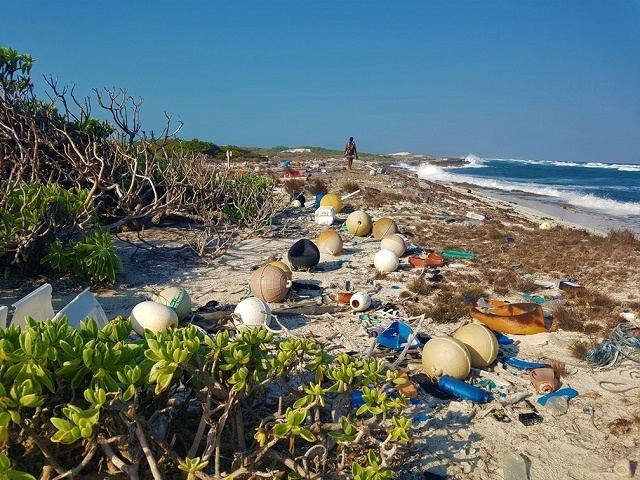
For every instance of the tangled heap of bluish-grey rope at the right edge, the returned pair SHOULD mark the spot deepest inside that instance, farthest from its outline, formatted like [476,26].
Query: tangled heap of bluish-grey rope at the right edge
[623,341]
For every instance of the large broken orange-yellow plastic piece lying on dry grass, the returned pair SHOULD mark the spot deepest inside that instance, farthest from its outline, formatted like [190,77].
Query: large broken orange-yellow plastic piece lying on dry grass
[510,318]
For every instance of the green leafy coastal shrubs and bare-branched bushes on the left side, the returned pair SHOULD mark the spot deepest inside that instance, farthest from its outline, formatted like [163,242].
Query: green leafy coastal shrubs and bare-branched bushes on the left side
[83,401]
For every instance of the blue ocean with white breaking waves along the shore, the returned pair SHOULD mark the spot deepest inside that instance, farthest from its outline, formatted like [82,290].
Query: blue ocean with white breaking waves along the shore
[598,195]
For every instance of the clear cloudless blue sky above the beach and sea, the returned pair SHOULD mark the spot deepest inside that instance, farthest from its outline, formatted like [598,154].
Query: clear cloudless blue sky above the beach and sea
[545,80]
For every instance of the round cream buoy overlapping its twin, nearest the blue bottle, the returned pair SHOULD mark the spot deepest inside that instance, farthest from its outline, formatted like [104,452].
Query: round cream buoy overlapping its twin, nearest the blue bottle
[446,356]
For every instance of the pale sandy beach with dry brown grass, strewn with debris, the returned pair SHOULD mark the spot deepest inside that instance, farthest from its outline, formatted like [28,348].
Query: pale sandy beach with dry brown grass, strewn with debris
[451,437]
